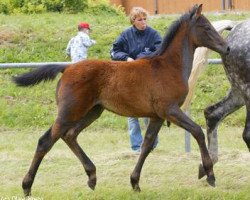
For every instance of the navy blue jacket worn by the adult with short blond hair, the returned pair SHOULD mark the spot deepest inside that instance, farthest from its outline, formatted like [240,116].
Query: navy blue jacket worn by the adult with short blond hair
[135,44]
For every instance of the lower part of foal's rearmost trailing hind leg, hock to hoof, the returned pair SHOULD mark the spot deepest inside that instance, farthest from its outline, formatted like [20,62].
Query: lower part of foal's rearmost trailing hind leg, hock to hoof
[45,143]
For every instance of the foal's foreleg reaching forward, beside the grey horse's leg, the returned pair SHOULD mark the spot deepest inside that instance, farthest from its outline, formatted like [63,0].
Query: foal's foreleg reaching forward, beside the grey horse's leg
[176,115]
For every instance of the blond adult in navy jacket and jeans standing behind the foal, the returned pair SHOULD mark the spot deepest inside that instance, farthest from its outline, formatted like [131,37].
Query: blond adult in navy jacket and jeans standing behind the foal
[136,42]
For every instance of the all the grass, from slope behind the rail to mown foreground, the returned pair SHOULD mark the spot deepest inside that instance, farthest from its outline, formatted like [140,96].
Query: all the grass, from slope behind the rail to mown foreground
[168,173]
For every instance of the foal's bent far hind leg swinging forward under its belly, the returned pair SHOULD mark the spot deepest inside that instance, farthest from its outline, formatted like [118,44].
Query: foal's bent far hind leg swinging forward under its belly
[70,139]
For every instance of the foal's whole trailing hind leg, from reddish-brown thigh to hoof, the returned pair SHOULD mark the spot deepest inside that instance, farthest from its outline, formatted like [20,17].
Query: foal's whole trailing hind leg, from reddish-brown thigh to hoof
[70,112]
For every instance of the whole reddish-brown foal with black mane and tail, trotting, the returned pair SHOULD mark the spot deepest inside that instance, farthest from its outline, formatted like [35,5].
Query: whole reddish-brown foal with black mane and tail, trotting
[153,87]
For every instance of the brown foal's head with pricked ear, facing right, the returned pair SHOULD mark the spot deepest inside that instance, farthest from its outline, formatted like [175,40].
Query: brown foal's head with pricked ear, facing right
[202,33]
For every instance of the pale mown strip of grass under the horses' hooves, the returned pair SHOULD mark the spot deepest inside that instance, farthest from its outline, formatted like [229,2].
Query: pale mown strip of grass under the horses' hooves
[168,173]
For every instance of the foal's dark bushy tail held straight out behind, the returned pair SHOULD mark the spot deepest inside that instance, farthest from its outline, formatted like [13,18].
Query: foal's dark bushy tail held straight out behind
[45,73]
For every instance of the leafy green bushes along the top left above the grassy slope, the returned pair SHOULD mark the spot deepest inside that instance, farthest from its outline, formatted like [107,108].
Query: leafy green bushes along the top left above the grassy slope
[69,6]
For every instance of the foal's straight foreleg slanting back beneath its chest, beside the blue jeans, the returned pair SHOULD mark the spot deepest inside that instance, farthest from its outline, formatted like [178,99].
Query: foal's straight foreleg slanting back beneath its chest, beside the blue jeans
[147,145]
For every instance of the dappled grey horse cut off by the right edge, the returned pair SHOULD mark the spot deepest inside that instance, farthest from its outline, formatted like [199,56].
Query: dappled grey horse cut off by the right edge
[237,68]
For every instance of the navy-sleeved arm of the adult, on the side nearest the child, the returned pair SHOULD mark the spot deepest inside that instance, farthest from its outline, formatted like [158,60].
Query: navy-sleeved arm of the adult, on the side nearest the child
[118,51]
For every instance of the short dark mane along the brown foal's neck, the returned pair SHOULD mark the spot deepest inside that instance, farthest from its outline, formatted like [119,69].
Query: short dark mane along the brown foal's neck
[171,32]
